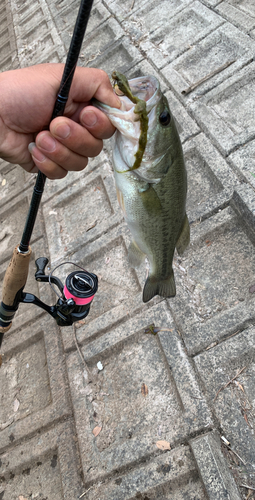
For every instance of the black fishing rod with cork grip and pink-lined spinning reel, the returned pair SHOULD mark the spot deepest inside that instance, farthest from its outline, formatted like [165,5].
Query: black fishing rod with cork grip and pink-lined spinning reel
[80,286]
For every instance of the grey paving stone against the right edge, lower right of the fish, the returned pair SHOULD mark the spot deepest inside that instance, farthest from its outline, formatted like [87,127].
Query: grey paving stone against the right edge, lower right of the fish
[233,404]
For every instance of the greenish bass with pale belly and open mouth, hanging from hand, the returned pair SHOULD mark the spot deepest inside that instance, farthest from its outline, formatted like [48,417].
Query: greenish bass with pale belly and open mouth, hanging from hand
[150,178]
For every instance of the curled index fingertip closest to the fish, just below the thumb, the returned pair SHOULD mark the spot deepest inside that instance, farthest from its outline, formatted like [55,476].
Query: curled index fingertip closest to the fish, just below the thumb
[96,122]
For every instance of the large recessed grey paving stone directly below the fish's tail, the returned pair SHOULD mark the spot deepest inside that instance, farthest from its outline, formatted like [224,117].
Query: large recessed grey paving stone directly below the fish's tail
[131,422]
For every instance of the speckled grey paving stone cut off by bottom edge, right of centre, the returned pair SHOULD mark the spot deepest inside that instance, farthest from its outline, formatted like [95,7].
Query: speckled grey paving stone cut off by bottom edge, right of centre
[172,476]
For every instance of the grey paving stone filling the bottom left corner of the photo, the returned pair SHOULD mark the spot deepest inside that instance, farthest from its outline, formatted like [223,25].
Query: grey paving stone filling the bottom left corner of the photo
[45,466]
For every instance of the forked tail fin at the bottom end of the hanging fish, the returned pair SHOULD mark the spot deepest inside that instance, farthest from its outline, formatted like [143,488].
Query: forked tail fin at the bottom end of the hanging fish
[164,288]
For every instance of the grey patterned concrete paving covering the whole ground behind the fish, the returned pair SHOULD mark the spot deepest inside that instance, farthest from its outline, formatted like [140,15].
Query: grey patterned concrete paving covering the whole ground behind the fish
[199,369]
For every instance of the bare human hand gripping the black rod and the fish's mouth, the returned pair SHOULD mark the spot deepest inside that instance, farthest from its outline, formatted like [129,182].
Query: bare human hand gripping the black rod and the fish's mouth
[27,100]
